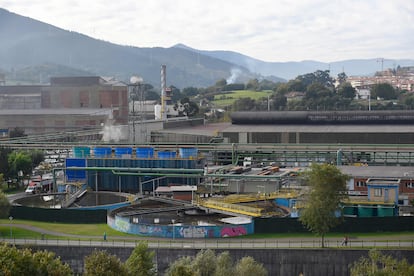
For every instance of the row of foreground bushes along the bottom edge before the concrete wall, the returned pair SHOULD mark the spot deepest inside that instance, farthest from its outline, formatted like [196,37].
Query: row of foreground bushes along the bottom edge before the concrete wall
[25,261]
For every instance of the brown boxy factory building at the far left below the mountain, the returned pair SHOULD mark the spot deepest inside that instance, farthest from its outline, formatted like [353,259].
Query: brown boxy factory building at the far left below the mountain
[68,103]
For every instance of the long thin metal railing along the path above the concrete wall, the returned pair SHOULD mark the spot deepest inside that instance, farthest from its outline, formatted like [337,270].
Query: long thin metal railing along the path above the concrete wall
[218,243]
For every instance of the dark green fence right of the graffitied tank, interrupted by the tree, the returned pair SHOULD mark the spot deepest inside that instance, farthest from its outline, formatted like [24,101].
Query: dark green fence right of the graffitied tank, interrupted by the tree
[350,225]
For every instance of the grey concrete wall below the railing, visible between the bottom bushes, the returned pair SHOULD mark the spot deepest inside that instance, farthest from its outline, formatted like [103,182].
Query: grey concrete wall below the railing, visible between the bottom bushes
[277,261]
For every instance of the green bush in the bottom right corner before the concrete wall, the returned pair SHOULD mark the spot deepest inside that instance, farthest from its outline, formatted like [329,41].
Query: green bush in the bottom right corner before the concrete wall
[378,264]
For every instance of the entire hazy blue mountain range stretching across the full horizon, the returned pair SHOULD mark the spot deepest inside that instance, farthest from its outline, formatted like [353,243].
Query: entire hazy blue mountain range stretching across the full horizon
[34,51]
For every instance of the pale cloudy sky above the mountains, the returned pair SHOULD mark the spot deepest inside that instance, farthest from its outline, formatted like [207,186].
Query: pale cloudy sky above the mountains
[268,30]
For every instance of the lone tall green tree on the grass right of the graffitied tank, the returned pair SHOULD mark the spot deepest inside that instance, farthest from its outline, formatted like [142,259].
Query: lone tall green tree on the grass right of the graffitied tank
[328,188]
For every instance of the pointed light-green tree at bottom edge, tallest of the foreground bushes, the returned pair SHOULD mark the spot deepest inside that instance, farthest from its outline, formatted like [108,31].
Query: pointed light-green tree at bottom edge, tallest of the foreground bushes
[140,262]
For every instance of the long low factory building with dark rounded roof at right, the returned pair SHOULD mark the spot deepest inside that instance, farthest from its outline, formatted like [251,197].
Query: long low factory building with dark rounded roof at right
[332,127]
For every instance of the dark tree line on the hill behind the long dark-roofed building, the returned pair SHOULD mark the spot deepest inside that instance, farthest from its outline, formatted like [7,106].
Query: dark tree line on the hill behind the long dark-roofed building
[311,91]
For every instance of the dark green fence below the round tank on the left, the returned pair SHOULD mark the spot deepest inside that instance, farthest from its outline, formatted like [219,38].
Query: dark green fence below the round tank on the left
[58,215]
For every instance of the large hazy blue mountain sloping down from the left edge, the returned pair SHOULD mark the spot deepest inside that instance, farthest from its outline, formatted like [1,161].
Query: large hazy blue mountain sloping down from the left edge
[27,42]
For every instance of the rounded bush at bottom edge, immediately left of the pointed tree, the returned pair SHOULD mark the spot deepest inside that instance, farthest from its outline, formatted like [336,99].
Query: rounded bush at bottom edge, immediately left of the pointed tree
[101,263]
